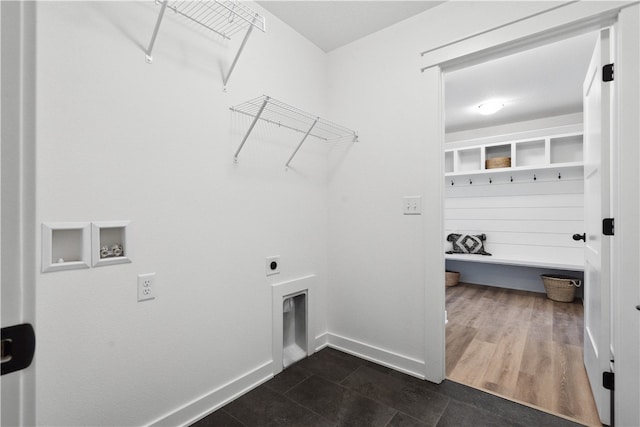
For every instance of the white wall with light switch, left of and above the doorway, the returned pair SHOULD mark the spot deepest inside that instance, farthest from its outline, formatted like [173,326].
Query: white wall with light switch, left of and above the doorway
[387,275]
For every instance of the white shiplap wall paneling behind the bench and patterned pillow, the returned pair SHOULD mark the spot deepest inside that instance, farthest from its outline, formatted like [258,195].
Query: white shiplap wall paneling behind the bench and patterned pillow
[534,220]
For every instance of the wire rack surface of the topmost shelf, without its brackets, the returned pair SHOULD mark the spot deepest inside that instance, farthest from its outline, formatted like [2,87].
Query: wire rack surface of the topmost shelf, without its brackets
[225,18]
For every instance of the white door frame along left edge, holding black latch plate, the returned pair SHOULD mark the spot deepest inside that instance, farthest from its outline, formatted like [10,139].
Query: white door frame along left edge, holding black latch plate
[17,74]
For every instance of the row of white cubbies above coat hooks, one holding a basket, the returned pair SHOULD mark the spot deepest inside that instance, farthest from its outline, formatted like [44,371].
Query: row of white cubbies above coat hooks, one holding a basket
[557,152]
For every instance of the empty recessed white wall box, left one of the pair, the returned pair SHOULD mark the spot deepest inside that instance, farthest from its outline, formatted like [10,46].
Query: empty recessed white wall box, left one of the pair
[65,246]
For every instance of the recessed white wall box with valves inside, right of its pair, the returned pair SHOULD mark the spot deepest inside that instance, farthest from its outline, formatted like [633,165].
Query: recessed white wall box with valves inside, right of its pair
[109,243]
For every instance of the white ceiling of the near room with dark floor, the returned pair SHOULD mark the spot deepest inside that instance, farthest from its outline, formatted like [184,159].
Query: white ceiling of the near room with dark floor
[330,24]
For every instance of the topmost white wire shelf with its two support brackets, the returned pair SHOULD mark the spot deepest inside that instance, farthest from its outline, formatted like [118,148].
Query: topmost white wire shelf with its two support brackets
[223,17]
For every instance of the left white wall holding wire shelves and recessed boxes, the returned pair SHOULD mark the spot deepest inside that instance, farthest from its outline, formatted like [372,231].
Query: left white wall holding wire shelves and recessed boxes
[119,139]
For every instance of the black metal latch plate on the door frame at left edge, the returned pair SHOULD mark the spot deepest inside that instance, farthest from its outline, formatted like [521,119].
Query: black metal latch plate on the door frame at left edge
[18,347]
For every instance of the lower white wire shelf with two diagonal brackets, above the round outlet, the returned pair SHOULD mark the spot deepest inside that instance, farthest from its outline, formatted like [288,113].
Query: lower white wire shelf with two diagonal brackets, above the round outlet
[284,115]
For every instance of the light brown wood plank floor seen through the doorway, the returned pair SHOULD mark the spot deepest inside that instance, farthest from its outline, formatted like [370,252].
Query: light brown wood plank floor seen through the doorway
[519,345]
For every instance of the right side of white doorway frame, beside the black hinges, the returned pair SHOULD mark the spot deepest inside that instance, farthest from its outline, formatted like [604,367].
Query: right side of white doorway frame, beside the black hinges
[625,207]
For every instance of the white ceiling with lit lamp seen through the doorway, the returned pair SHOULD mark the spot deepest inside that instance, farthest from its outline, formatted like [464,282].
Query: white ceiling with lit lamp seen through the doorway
[537,83]
